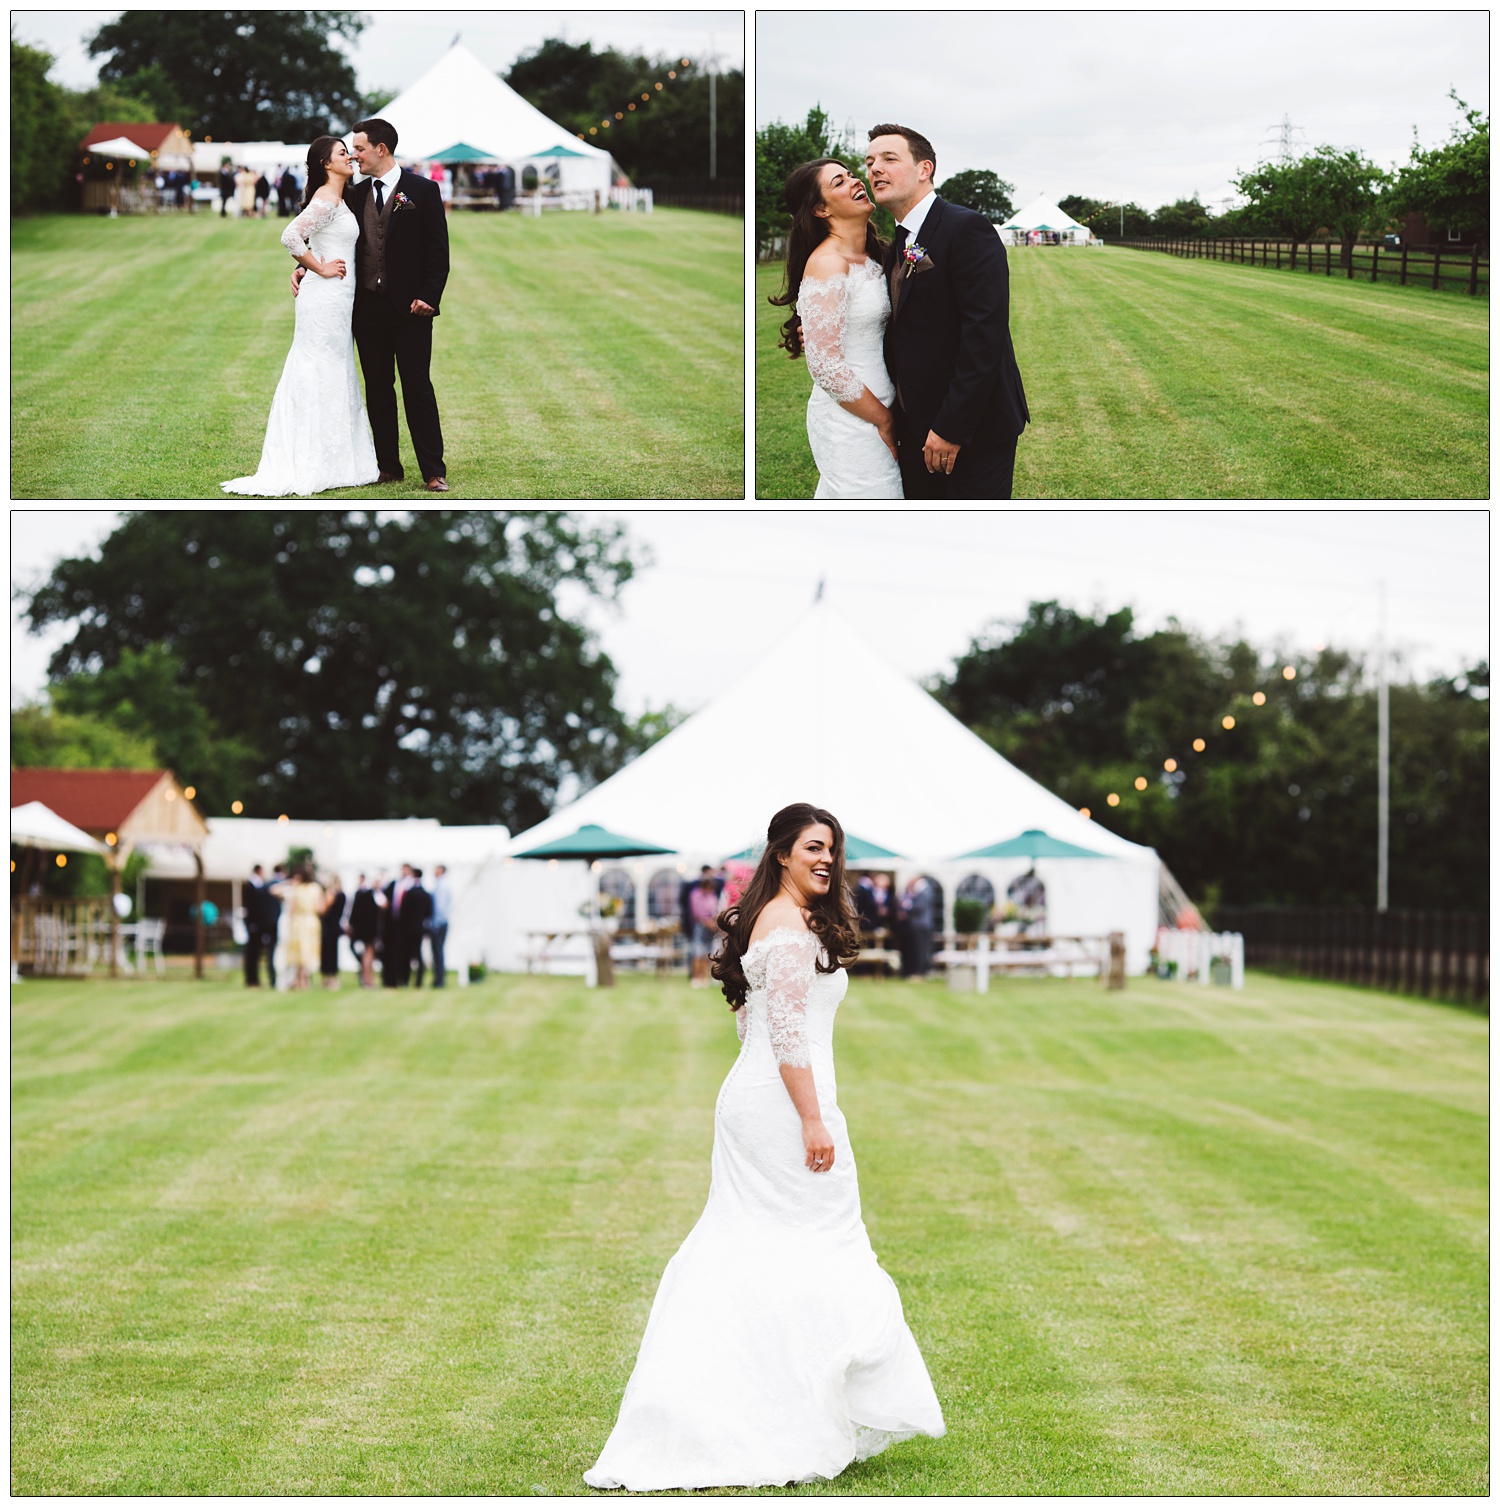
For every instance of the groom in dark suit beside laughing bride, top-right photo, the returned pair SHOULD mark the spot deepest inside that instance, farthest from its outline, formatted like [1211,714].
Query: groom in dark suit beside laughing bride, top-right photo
[961,406]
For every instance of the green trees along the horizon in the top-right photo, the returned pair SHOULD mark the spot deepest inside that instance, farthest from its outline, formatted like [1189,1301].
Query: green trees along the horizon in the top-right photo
[1335,192]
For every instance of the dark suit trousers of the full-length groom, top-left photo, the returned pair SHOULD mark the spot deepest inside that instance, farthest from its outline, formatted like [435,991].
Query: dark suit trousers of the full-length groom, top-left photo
[393,340]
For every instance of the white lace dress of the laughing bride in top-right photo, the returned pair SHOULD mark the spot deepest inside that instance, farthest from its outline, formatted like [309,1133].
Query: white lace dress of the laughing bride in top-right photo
[843,335]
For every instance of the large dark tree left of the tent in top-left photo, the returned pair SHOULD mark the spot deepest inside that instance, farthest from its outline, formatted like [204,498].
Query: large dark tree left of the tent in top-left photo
[242,76]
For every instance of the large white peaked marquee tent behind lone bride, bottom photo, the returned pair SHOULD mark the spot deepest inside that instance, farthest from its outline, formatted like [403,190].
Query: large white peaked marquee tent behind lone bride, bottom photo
[825,718]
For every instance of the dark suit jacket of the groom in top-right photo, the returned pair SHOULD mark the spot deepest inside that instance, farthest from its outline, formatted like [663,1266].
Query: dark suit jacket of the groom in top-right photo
[947,346]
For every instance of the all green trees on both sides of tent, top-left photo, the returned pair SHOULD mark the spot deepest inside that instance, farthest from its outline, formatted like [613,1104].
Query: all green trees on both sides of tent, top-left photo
[260,76]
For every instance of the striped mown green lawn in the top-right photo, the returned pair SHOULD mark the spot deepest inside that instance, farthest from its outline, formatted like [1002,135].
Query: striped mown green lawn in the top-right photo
[1149,376]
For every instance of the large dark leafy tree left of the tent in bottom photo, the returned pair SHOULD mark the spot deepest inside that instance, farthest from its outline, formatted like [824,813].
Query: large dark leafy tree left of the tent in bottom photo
[379,665]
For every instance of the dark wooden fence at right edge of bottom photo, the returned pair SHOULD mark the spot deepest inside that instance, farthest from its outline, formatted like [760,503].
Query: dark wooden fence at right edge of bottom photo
[1431,953]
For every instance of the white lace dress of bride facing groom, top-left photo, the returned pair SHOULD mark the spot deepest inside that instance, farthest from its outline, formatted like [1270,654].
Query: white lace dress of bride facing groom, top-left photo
[319,435]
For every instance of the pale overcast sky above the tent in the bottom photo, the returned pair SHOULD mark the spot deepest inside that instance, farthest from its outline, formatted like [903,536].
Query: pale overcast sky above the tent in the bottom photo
[726,584]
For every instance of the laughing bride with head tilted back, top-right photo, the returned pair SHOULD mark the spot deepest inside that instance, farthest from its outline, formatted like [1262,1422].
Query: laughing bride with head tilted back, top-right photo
[842,302]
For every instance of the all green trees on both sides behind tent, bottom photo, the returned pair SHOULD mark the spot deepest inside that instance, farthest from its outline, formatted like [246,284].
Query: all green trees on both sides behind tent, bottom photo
[358,665]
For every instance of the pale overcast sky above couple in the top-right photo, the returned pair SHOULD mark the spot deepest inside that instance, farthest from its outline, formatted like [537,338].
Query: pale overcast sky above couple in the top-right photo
[1127,106]
